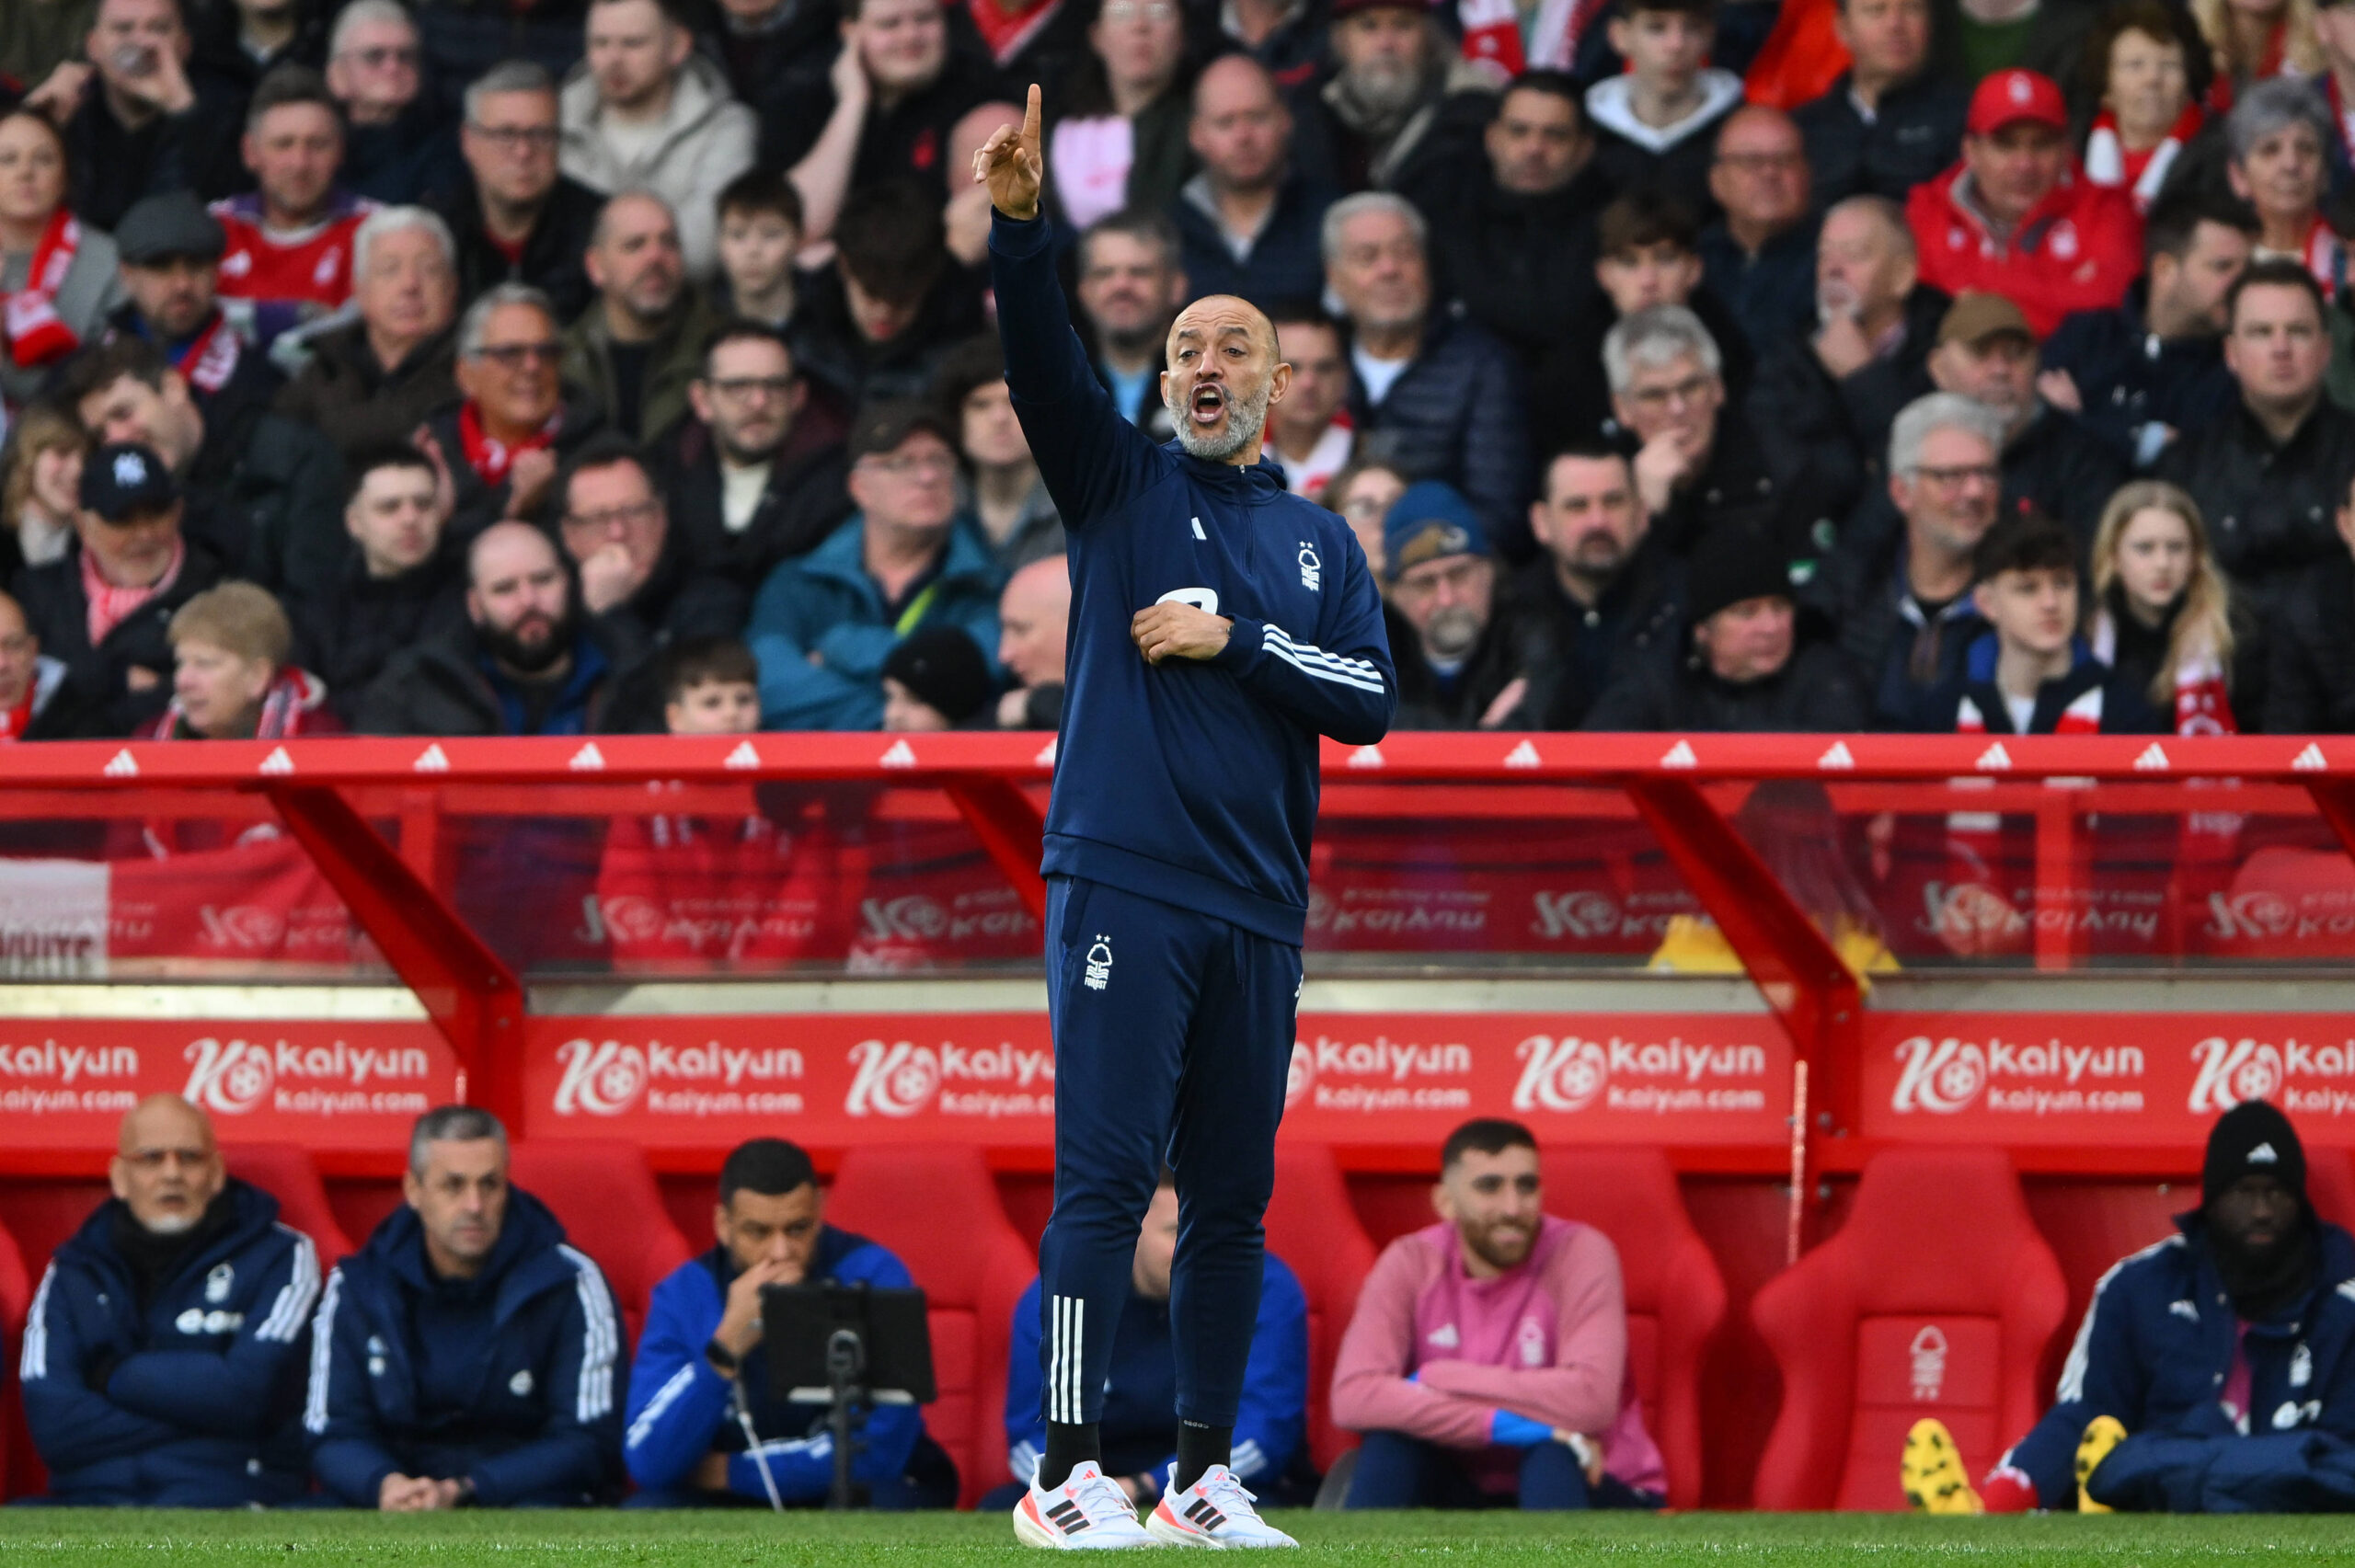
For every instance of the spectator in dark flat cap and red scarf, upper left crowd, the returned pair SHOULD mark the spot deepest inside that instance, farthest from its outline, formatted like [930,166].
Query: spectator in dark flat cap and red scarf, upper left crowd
[171,253]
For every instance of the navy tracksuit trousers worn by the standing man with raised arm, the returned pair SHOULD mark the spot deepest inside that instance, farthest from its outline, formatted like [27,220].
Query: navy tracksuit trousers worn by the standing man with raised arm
[1174,1039]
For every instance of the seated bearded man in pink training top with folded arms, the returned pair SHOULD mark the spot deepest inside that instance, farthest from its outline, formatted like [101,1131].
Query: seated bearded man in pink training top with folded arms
[1490,1353]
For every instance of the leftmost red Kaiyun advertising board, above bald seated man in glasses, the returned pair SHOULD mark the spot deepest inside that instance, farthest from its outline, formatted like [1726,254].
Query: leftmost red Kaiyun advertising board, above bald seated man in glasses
[65,1084]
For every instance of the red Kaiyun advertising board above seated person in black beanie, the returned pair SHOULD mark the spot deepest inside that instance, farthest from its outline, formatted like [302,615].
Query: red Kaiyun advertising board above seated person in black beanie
[2085,1079]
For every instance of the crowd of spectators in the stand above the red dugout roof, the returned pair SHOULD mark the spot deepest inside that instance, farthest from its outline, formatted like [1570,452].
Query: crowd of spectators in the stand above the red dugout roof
[510,368]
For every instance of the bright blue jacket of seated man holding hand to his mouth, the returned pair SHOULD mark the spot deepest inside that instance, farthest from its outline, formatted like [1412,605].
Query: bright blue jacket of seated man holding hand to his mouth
[679,1409]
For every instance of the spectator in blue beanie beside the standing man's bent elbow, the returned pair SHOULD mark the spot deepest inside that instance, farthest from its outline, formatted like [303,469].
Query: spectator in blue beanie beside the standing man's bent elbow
[1457,670]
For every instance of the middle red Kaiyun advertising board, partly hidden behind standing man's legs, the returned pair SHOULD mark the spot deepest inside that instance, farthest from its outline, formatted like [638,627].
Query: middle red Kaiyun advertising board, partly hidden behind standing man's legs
[990,1077]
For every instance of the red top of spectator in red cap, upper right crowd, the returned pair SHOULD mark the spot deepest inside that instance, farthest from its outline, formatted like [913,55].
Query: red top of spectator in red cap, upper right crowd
[2076,251]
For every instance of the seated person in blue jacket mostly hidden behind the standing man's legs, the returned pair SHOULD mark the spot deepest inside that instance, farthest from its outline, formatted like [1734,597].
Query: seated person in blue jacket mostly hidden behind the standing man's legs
[1141,1395]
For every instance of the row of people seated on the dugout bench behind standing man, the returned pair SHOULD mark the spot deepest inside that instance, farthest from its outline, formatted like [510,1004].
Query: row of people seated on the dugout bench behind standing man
[185,1353]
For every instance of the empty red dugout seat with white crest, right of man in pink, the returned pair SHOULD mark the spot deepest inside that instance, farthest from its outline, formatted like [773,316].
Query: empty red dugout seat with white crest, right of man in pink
[1935,1298]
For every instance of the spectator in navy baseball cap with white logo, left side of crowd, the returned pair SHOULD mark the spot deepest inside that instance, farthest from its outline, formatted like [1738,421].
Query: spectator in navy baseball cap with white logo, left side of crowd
[105,606]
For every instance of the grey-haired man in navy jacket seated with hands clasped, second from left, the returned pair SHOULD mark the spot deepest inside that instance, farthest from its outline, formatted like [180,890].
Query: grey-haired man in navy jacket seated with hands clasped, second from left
[465,1355]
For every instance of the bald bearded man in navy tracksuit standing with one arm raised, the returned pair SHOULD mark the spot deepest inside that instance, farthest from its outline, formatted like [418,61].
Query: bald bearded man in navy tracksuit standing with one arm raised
[1219,630]
